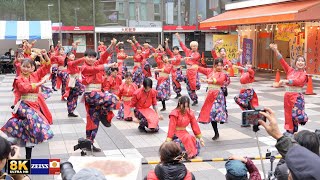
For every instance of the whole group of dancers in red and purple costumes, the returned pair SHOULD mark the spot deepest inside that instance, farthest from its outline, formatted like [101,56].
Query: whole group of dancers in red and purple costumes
[104,87]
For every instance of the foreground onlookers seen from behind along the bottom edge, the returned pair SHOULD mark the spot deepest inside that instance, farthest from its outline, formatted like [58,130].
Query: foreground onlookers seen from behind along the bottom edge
[300,158]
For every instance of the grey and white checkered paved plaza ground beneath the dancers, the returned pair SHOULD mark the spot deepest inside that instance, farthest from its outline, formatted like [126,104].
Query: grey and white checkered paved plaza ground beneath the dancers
[123,139]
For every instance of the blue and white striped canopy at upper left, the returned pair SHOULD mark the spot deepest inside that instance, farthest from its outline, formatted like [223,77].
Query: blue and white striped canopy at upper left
[18,30]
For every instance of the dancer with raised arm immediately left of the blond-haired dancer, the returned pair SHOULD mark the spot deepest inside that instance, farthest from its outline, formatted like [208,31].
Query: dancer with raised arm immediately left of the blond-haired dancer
[176,73]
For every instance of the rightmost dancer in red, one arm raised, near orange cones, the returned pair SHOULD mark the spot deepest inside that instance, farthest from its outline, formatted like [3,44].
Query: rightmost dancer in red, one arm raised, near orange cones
[294,104]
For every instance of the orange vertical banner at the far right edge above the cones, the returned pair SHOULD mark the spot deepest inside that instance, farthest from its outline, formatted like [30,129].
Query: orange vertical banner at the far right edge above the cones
[313,47]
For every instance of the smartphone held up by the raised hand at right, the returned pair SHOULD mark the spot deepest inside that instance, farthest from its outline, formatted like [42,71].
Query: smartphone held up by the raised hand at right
[252,117]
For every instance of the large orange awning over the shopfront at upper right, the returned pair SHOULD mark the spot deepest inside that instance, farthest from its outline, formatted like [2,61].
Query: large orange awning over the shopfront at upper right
[306,10]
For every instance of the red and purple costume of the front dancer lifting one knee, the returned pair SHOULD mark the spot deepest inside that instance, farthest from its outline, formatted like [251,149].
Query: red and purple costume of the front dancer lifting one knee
[98,104]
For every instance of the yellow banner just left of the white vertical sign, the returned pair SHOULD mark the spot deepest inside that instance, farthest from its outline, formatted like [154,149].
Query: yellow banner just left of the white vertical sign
[230,43]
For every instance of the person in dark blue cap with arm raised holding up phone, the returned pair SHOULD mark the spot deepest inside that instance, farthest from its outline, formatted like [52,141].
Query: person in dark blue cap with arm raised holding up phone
[301,162]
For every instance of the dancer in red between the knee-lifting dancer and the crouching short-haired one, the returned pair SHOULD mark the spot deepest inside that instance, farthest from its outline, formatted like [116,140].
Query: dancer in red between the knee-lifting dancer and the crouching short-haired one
[126,91]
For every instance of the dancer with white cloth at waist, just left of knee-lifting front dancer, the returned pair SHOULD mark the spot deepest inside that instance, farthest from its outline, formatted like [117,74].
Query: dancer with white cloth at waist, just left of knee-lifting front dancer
[74,87]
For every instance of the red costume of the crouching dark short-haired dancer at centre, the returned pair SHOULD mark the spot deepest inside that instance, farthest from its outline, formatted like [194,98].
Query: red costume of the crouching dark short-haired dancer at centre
[141,103]
